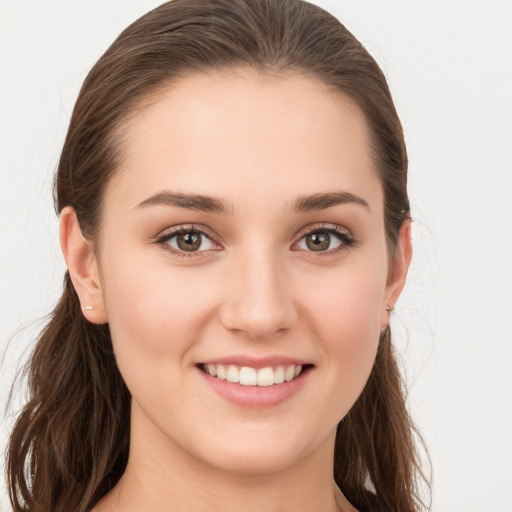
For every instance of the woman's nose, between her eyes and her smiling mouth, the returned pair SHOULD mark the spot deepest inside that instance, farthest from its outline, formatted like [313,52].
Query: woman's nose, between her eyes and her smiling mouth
[259,300]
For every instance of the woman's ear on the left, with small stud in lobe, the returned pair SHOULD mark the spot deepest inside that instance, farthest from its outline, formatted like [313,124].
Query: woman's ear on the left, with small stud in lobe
[83,267]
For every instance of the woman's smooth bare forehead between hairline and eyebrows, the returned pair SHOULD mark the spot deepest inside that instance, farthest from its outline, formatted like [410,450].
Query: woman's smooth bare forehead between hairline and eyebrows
[245,136]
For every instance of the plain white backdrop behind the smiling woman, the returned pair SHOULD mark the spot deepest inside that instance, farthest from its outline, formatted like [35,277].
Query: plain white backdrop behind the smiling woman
[449,66]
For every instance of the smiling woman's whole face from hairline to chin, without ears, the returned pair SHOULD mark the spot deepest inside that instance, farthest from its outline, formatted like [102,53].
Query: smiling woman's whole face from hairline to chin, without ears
[243,235]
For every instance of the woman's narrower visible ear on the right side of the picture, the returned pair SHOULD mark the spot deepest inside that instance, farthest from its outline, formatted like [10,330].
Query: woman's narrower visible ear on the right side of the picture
[398,269]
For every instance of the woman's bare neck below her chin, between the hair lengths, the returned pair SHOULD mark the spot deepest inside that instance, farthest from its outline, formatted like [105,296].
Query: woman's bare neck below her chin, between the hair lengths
[161,475]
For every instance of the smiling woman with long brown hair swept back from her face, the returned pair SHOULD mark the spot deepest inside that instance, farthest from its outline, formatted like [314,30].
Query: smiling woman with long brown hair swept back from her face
[235,221]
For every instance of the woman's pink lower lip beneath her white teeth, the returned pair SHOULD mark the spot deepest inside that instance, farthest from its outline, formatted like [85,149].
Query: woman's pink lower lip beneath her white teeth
[256,396]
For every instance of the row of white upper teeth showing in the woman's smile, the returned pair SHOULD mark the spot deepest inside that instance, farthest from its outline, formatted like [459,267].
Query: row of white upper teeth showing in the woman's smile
[248,376]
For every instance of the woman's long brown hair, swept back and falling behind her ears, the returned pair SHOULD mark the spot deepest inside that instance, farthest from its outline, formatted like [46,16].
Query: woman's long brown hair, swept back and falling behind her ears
[70,443]
